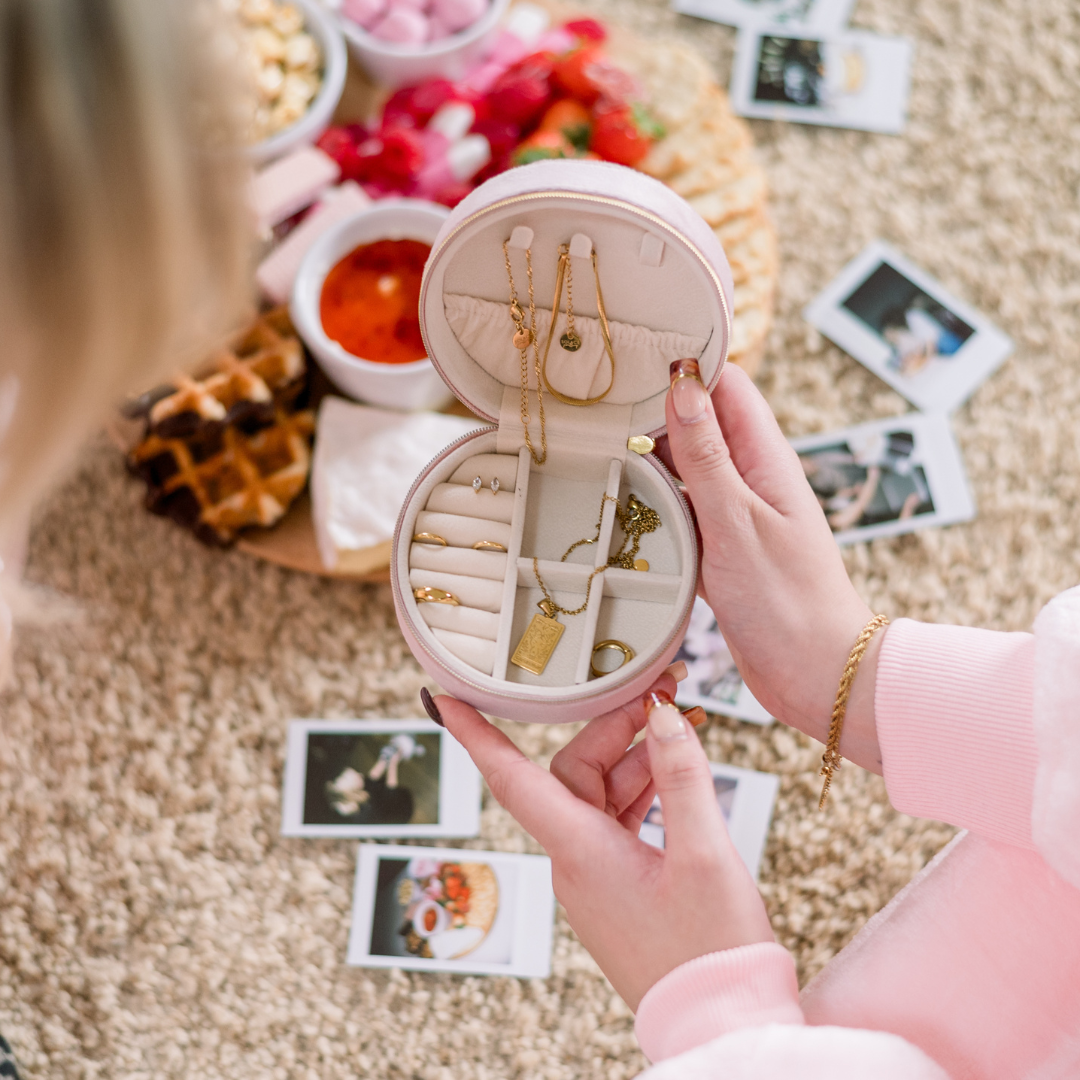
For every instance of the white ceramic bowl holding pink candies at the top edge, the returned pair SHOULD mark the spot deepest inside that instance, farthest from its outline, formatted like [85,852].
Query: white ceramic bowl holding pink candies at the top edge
[452,59]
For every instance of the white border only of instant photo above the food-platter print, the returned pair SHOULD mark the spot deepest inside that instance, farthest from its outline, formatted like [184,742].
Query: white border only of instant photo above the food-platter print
[460,784]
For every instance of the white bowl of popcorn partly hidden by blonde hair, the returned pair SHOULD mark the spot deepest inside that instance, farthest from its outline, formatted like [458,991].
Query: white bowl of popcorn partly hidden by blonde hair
[299,63]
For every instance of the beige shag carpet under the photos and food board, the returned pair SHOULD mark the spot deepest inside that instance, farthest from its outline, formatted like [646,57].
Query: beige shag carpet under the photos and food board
[153,922]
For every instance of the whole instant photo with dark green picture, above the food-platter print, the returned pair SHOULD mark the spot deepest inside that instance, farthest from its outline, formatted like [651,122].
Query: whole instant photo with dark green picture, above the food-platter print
[379,779]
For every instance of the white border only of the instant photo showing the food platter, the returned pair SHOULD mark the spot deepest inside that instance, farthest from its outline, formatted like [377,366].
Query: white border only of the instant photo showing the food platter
[534,916]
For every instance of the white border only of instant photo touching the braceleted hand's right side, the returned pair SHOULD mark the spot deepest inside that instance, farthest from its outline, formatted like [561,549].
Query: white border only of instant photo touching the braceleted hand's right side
[940,458]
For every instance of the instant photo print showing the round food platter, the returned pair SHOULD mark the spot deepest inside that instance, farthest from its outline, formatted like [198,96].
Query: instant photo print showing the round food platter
[480,913]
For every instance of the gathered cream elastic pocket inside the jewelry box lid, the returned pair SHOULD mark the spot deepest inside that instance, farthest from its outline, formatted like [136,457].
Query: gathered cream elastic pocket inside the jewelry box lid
[485,331]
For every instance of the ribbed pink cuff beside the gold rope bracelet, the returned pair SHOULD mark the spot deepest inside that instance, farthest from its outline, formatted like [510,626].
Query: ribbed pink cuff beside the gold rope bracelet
[955,724]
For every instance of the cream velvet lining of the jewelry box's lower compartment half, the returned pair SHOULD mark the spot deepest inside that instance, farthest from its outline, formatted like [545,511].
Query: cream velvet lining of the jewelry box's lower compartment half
[547,511]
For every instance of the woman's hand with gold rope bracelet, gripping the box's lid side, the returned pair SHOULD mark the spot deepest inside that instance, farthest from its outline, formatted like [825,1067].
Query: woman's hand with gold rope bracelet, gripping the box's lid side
[771,569]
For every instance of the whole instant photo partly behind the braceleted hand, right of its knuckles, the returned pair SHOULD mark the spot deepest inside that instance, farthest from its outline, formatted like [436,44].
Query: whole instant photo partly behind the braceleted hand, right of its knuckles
[888,477]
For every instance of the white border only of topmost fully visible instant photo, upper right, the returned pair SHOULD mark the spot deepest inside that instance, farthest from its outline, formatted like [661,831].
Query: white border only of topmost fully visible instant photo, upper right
[893,71]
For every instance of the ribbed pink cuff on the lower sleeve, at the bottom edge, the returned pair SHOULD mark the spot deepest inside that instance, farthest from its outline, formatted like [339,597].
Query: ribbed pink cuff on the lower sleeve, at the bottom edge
[717,994]
